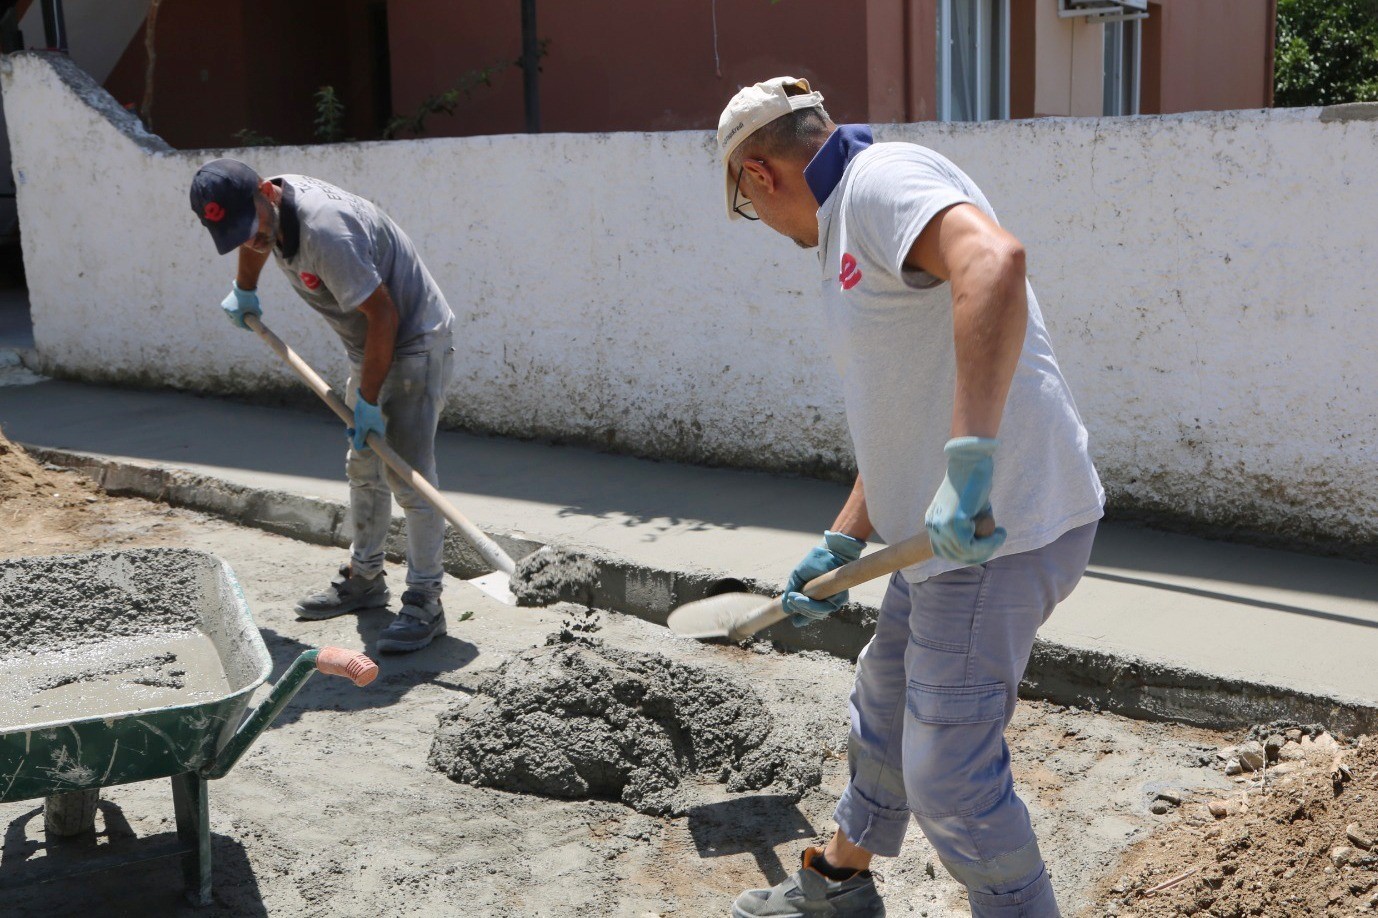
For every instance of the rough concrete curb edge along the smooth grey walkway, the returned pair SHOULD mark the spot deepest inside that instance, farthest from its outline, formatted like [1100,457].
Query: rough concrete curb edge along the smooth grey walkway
[1089,679]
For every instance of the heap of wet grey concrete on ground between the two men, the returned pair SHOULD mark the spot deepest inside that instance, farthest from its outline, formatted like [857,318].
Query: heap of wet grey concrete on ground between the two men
[582,720]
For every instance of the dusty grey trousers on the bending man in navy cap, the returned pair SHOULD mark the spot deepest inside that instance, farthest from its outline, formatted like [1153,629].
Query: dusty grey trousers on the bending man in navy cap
[411,400]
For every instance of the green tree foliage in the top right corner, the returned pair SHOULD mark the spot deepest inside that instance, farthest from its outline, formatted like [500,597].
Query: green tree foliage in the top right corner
[1328,53]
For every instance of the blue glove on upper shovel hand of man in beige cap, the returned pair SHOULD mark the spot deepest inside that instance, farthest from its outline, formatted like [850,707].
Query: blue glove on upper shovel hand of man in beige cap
[964,496]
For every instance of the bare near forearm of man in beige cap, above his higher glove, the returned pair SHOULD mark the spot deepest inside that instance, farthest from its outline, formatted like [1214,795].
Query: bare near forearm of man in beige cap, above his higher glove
[990,318]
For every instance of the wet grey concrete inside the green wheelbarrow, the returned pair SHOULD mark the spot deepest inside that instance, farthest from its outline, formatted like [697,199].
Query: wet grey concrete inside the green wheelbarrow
[103,633]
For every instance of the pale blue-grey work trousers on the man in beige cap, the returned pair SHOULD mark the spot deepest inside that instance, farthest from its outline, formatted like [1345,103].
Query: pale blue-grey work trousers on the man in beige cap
[935,690]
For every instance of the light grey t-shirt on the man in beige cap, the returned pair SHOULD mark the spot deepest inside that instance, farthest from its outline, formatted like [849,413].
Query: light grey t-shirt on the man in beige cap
[892,343]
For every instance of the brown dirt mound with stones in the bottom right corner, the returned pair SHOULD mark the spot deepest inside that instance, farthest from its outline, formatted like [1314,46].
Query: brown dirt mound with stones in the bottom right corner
[1300,837]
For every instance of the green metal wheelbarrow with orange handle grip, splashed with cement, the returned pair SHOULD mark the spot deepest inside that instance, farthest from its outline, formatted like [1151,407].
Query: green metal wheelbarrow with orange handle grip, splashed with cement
[189,742]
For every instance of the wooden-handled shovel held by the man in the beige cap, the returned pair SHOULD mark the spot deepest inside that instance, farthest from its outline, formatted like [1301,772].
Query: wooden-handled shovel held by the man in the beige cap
[741,615]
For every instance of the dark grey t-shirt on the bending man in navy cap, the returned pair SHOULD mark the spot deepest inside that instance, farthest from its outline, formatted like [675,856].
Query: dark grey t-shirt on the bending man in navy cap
[336,253]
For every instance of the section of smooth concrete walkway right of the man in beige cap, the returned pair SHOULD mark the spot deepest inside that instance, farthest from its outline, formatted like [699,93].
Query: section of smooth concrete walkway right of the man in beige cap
[1231,610]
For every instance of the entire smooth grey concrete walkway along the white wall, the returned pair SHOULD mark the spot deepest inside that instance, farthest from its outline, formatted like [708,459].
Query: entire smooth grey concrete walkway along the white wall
[1219,609]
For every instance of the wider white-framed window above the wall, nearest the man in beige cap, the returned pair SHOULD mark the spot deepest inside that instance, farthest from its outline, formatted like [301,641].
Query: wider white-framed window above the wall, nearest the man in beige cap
[974,60]
